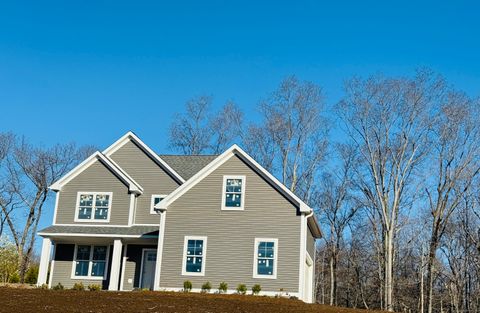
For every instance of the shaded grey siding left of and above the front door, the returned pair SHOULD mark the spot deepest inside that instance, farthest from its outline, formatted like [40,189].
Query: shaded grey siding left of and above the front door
[133,265]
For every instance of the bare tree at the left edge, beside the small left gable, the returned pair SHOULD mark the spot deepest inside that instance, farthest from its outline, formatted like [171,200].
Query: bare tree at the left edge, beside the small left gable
[28,173]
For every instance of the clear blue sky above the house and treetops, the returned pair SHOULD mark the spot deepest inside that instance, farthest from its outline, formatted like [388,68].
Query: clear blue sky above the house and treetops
[88,71]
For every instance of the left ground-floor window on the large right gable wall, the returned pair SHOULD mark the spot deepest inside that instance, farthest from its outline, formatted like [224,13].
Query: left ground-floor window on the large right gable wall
[194,255]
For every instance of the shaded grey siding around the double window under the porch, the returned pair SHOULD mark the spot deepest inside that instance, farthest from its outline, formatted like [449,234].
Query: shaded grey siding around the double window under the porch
[62,270]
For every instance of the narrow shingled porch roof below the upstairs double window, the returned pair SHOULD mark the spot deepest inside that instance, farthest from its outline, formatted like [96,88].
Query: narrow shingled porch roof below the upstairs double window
[143,231]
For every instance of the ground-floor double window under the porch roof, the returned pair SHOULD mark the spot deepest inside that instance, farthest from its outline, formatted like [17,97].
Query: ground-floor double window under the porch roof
[90,262]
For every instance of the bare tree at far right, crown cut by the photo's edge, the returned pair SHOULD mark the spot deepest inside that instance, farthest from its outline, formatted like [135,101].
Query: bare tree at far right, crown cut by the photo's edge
[455,163]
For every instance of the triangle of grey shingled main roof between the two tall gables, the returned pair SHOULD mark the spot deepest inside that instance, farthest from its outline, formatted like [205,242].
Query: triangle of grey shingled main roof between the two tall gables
[187,165]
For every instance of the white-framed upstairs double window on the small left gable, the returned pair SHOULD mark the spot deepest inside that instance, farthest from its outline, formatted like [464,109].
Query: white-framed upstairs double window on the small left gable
[93,207]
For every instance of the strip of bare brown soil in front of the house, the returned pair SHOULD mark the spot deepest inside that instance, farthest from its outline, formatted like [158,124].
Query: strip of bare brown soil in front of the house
[68,301]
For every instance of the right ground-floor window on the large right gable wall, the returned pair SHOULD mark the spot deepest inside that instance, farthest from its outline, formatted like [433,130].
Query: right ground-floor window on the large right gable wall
[265,258]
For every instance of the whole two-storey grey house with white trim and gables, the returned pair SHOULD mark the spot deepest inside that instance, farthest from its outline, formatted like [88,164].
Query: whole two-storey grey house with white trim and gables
[127,218]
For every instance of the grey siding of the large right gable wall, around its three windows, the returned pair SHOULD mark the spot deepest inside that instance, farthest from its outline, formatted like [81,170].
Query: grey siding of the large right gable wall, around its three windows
[231,234]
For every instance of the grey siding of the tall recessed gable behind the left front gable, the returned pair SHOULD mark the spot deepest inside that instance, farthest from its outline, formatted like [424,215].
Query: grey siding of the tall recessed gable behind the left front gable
[148,174]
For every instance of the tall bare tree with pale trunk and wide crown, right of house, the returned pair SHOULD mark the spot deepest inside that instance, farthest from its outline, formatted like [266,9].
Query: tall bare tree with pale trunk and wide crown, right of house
[387,120]
